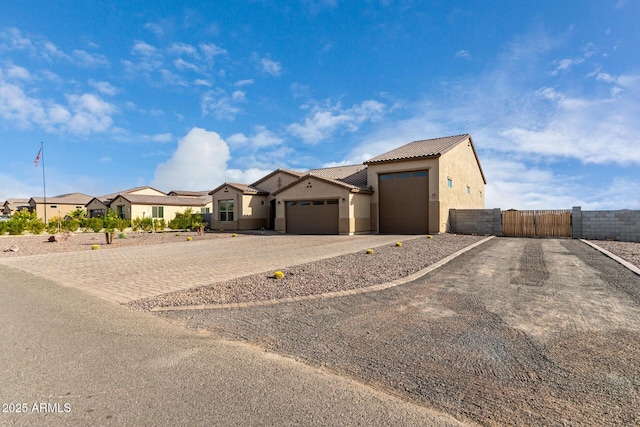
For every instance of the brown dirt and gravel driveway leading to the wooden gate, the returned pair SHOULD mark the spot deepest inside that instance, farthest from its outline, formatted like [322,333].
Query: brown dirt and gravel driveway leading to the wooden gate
[515,332]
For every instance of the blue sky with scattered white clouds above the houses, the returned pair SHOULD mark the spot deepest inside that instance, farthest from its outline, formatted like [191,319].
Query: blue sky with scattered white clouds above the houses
[187,96]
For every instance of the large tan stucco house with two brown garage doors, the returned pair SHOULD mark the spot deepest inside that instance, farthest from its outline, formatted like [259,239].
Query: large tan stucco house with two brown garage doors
[408,190]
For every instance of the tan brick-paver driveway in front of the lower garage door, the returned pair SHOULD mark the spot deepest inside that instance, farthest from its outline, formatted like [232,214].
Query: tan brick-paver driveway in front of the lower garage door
[129,273]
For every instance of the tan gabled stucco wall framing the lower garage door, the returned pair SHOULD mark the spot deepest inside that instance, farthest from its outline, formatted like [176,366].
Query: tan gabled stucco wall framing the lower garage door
[319,190]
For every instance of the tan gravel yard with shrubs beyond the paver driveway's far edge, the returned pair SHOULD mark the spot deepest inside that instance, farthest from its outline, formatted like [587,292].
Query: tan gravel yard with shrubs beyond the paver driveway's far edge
[36,245]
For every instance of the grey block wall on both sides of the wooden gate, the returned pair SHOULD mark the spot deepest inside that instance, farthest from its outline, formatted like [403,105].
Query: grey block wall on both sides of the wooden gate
[622,225]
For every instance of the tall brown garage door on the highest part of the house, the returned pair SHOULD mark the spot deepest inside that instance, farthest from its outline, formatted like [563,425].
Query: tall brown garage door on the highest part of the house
[404,202]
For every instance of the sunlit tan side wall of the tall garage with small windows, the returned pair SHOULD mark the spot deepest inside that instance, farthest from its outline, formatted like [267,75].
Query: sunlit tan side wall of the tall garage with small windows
[461,166]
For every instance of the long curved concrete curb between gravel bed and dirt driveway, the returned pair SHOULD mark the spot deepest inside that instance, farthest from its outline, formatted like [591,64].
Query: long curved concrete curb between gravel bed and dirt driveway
[373,288]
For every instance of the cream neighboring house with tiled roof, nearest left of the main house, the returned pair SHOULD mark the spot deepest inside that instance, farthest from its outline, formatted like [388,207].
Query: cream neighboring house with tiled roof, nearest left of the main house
[131,206]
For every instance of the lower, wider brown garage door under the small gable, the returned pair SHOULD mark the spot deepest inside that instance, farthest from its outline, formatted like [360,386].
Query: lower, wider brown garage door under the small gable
[312,217]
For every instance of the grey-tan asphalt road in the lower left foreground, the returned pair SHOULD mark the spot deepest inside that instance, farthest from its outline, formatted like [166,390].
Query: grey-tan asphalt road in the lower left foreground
[67,358]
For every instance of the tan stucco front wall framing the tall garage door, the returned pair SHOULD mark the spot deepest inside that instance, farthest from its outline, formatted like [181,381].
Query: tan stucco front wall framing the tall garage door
[412,165]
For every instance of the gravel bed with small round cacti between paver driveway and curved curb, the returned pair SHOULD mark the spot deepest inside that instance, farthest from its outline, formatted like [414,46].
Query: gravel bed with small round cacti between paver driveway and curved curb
[340,273]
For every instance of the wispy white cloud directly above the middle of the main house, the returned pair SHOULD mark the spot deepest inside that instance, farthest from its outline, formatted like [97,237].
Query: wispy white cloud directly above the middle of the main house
[323,121]
